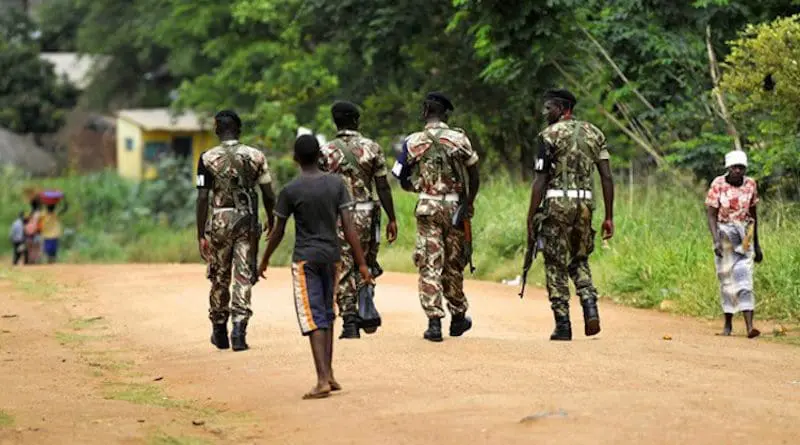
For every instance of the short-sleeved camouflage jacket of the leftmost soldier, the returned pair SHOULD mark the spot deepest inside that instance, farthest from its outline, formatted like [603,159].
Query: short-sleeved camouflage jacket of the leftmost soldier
[231,170]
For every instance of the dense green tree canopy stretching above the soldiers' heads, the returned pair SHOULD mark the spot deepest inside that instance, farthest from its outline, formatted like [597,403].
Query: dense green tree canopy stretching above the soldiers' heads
[643,70]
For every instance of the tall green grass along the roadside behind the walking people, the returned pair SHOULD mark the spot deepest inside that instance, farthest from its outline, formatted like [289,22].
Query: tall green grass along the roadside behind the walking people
[661,250]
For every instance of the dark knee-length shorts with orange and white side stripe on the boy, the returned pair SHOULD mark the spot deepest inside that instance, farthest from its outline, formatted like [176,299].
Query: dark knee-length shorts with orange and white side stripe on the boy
[314,294]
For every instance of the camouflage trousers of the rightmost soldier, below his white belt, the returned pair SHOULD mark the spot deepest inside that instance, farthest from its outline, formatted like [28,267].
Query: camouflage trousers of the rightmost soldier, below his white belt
[568,242]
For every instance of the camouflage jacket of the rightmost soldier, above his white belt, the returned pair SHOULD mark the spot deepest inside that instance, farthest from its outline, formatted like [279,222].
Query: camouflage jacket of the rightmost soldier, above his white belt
[568,152]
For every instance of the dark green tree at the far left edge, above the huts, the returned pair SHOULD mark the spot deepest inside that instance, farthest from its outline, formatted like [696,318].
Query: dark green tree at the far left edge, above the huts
[32,99]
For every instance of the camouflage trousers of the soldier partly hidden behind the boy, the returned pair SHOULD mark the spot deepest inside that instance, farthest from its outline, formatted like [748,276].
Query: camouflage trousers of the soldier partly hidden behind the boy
[350,277]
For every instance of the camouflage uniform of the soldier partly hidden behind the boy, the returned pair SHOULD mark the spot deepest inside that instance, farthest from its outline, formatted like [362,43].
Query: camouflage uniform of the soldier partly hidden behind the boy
[358,161]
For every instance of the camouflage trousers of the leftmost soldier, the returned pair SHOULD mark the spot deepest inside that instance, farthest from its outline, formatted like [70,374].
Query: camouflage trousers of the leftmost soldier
[230,255]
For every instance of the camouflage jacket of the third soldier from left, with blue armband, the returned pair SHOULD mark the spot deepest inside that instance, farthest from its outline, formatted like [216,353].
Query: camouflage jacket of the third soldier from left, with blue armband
[431,168]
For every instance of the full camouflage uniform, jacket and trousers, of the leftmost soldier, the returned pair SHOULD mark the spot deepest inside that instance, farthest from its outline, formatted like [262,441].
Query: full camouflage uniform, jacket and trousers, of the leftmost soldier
[232,171]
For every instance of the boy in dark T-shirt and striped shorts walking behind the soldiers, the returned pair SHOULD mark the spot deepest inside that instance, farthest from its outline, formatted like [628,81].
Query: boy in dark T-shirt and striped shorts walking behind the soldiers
[317,200]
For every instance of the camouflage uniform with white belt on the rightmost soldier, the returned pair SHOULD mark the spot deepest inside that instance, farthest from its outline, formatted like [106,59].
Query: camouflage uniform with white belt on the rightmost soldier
[569,150]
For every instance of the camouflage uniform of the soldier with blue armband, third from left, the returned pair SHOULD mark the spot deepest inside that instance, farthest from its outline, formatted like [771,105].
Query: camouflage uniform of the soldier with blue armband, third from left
[439,253]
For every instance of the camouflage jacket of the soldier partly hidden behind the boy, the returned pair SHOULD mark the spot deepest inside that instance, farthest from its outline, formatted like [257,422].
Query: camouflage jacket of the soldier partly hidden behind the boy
[357,159]
